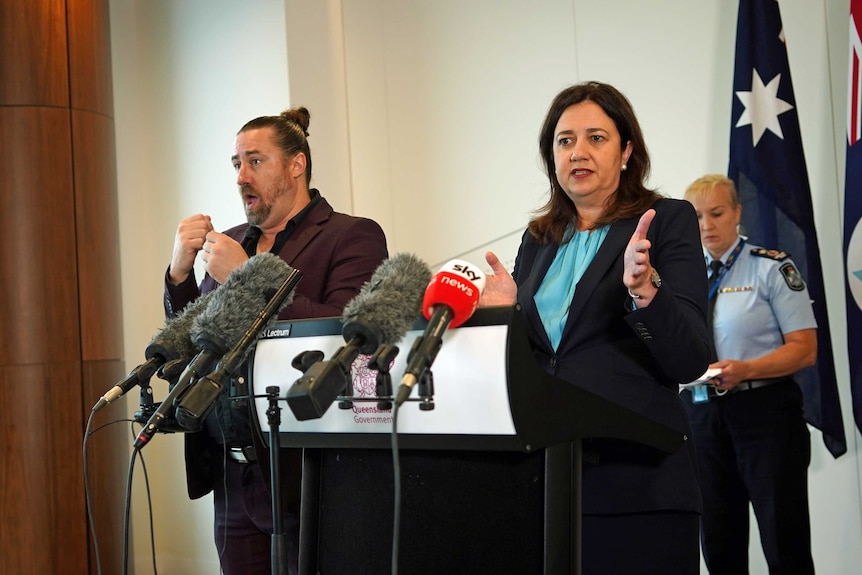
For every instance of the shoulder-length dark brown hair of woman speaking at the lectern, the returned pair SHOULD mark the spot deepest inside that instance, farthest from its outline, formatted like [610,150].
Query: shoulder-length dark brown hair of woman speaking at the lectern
[631,199]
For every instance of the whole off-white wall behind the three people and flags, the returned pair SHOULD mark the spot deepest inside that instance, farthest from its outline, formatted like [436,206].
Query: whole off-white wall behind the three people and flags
[425,116]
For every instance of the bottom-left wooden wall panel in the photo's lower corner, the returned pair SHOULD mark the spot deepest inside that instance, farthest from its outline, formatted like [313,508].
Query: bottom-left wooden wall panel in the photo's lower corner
[41,478]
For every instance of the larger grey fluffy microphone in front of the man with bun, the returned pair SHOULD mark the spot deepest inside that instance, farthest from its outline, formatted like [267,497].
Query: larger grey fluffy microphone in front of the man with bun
[220,326]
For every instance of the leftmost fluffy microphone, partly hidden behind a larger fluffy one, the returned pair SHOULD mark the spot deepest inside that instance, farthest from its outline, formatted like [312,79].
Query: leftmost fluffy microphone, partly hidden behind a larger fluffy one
[172,343]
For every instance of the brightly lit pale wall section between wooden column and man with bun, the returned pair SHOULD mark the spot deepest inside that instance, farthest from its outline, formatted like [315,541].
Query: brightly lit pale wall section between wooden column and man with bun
[187,76]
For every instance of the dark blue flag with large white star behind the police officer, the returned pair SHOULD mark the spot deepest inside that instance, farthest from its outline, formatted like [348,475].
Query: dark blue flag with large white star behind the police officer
[768,166]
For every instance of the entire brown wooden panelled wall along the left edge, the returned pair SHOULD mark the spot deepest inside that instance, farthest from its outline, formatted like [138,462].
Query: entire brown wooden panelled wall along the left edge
[60,304]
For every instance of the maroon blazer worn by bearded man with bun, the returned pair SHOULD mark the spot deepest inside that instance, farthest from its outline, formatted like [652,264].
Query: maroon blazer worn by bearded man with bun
[336,253]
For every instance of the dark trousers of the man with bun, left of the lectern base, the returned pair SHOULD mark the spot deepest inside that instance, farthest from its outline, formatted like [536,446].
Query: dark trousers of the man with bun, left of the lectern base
[243,523]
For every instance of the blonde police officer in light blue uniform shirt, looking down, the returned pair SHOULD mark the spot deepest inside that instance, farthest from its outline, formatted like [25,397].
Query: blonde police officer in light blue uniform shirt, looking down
[751,438]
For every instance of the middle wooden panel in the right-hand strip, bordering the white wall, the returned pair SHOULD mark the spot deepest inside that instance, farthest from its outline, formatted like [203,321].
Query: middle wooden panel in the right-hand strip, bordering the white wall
[98,235]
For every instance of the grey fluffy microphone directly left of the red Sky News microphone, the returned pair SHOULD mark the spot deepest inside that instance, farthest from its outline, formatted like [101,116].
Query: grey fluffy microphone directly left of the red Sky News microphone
[381,313]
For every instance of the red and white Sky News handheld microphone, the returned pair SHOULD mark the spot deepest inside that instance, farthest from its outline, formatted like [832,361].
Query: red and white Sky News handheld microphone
[450,300]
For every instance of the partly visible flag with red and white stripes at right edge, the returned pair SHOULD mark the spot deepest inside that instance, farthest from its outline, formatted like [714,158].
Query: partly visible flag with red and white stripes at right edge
[853,210]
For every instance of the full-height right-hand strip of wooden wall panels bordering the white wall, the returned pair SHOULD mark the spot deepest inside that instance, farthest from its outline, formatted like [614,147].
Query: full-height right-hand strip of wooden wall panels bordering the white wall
[98,257]
